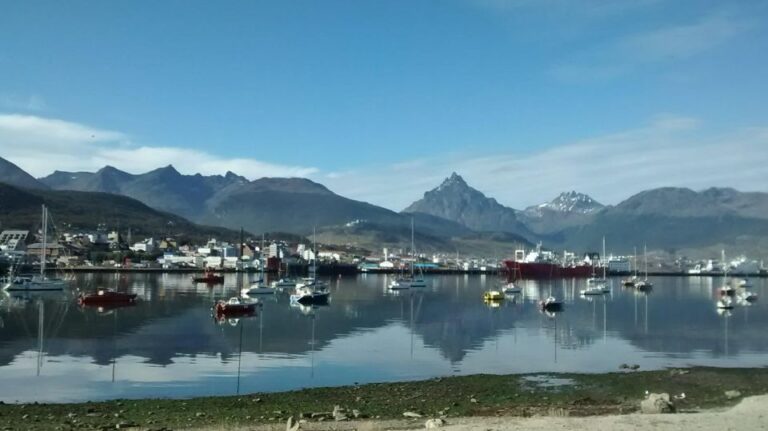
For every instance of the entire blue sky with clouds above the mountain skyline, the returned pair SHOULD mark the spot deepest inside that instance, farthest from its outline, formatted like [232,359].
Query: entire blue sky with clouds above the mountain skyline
[381,100]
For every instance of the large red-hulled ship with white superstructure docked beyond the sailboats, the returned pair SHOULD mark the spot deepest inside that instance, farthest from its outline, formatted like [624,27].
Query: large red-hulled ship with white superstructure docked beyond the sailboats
[538,264]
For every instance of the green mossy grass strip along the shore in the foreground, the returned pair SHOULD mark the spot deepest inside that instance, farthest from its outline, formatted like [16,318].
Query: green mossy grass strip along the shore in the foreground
[478,395]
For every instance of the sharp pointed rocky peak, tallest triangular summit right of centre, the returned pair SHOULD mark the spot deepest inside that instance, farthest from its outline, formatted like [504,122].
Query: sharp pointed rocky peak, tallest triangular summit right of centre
[455,200]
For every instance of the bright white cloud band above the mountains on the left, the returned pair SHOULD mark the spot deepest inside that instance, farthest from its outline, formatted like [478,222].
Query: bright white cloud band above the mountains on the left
[41,145]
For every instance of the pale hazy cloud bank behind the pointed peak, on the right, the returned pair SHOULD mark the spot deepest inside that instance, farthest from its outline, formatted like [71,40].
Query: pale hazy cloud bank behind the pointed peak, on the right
[670,151]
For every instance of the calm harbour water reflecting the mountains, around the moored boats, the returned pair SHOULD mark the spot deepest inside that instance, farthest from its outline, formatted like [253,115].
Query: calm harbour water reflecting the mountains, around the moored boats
[169,346]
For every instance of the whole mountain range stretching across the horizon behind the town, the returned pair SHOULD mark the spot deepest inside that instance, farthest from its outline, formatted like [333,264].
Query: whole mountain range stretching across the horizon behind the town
[449,217]
